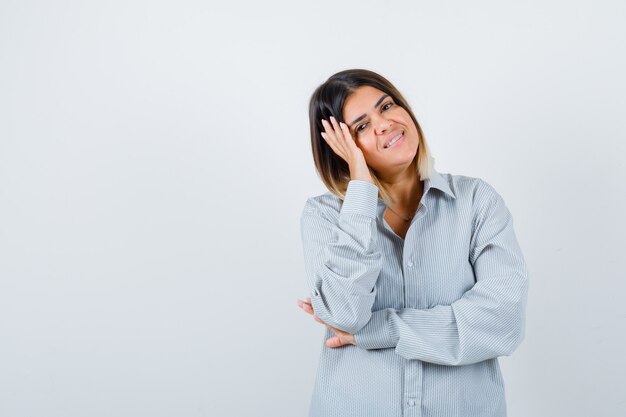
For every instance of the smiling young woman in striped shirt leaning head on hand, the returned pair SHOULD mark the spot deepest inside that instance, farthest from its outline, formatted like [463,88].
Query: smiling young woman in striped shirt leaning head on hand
[416,274]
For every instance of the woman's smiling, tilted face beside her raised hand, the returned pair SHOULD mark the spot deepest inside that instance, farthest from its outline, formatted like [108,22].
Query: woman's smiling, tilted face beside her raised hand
[383,130]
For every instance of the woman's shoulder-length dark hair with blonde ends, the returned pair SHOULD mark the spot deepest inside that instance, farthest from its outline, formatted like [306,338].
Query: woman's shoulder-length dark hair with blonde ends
[328,100]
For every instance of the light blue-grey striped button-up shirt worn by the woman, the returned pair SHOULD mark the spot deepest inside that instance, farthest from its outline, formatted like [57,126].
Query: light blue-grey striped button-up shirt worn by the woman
[430,313]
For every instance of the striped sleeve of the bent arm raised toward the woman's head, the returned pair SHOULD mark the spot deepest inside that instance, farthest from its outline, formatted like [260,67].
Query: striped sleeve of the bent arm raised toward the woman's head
[341,257]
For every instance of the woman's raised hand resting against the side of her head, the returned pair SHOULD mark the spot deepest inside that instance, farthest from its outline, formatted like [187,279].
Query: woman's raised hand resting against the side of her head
[338,137]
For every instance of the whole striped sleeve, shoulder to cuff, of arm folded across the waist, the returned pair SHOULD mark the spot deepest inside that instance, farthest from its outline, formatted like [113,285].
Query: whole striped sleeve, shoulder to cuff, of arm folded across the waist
[486,322]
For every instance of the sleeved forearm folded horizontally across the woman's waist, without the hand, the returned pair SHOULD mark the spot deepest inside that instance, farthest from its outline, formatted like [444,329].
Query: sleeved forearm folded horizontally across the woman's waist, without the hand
[472,329]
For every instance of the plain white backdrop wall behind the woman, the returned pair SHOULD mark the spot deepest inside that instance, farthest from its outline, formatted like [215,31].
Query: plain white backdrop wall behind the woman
[155,158]
